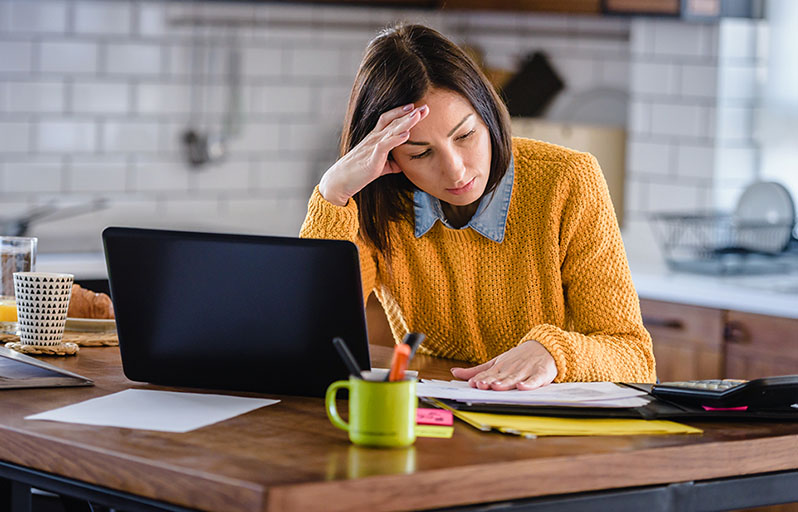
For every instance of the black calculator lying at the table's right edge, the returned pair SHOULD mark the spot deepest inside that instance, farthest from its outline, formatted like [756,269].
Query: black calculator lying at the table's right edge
[765,393]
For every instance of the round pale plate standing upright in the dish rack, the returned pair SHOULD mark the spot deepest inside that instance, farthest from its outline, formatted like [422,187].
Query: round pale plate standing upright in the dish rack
[765,215]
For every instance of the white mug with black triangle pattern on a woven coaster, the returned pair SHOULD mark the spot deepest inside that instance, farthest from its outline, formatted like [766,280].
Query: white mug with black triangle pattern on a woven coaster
[42,303]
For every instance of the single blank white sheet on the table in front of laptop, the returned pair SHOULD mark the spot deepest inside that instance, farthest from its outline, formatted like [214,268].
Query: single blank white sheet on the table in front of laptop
[165,411]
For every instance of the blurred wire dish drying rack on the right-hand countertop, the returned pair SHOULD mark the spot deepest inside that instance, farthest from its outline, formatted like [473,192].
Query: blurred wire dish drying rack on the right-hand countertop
[722,244]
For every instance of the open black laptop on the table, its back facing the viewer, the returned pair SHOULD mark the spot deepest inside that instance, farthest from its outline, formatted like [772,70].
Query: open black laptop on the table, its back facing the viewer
[235,312]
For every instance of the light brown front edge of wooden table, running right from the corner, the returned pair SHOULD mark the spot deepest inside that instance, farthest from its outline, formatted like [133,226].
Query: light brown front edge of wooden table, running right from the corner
[510,480]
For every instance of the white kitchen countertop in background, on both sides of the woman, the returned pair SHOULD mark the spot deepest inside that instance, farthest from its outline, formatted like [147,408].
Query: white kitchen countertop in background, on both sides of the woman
[775,295]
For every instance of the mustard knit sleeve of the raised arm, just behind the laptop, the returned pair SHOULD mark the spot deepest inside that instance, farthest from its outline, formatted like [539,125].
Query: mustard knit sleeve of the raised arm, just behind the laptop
[328,221]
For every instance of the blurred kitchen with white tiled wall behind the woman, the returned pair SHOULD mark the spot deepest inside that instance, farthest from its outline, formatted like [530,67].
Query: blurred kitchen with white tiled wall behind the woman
[222,116]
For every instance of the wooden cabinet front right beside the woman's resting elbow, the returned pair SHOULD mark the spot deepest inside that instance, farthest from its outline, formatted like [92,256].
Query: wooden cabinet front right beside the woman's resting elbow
[688,340]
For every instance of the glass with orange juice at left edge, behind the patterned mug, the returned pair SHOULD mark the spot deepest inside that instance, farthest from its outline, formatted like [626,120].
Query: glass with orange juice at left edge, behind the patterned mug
[17,254]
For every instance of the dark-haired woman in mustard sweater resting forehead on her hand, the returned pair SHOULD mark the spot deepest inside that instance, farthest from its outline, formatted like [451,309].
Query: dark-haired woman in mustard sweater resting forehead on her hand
[504,252]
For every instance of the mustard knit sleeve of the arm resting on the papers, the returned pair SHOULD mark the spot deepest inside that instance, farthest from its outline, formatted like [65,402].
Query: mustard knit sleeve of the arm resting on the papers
[603,338]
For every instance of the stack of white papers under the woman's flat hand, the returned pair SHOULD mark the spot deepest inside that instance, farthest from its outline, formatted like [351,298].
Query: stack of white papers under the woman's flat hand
[577,394]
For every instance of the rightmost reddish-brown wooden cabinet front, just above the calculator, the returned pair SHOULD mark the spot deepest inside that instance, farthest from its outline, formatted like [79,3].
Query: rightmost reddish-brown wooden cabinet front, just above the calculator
[760,346]
